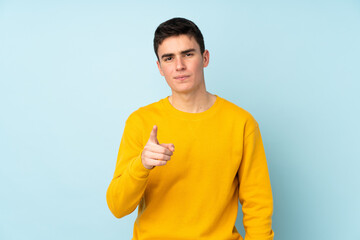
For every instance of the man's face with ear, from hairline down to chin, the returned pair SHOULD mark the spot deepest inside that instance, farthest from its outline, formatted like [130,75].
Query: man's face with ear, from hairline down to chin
[182,64]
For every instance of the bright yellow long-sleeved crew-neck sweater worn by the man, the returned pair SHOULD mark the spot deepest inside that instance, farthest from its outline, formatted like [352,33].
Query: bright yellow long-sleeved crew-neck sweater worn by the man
[219,158]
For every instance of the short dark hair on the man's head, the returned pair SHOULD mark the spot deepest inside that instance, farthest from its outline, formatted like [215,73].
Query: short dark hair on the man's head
[175,27]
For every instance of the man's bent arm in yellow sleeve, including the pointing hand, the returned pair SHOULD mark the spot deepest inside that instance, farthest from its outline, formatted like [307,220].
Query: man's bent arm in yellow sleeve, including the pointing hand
[133,166]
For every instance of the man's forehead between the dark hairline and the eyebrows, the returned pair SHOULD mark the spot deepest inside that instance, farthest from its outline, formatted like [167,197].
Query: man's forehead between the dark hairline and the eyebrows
[177,44]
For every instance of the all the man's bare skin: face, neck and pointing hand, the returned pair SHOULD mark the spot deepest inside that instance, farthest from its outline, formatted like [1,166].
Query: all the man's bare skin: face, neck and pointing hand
[182,65]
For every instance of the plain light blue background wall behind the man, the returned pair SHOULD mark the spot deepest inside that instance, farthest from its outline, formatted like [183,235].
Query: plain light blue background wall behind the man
[72,71]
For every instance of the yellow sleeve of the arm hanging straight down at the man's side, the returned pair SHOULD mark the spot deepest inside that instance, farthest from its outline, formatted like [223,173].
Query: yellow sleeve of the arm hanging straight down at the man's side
[254,188]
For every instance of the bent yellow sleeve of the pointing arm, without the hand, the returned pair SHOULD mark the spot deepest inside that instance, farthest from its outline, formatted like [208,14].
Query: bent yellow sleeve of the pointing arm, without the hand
[130,178]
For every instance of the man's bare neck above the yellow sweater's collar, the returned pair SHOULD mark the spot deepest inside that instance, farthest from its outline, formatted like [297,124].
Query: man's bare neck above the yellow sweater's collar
[192,103]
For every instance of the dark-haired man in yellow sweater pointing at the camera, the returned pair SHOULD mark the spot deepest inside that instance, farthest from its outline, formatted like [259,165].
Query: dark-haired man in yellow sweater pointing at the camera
[193,192]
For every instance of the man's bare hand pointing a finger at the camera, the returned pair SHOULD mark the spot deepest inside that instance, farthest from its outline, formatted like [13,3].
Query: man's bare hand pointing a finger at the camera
[155,154]
